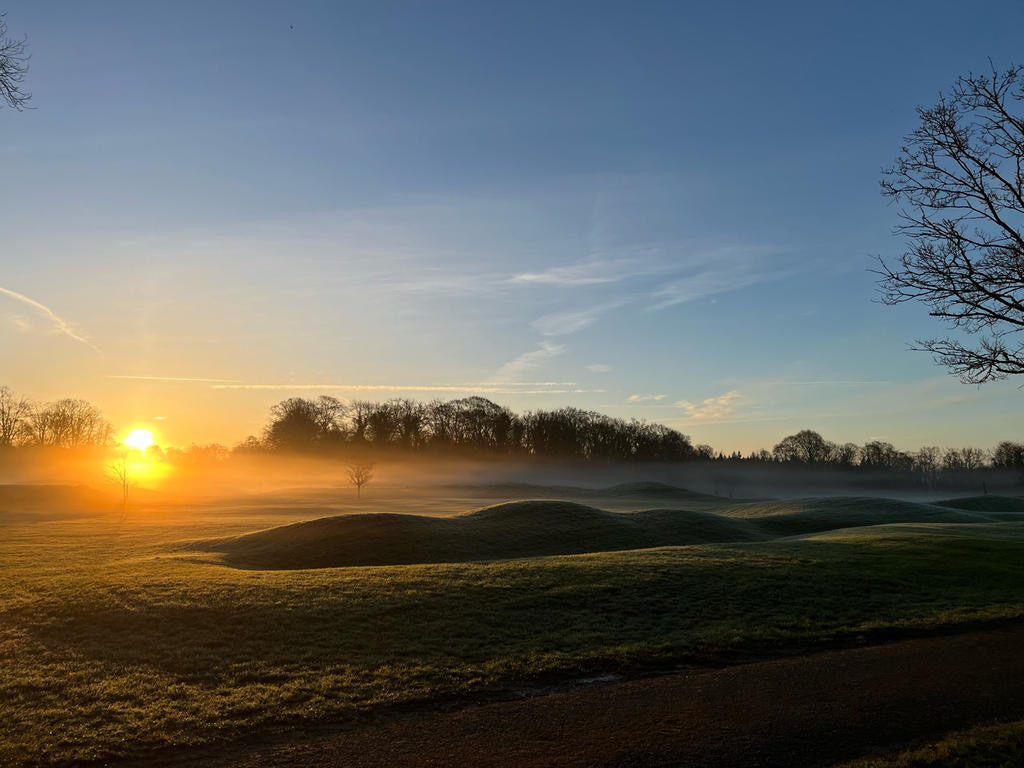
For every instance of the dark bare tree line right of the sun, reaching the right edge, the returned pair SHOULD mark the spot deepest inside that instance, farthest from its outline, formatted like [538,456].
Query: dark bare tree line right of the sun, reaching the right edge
[478,425]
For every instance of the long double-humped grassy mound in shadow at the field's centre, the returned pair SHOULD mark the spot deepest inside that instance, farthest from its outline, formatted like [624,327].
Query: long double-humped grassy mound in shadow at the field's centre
[516,530]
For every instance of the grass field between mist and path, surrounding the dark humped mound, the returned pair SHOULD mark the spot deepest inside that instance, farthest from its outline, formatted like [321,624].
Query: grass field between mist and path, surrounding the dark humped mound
[118,637]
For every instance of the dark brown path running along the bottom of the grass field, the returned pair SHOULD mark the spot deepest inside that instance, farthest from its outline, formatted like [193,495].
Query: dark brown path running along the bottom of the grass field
[810,711]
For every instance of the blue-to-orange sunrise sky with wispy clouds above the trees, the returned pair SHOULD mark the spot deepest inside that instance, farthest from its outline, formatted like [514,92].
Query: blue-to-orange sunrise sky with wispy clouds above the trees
[658,210]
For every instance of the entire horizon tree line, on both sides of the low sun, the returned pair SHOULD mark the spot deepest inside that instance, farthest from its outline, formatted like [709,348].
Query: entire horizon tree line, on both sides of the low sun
[327,425]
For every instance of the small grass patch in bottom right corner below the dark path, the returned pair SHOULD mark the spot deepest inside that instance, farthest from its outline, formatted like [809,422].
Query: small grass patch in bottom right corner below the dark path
[990,747]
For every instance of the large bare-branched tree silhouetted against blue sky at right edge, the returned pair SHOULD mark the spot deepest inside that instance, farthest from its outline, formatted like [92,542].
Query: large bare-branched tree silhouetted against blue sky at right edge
[959,183]
